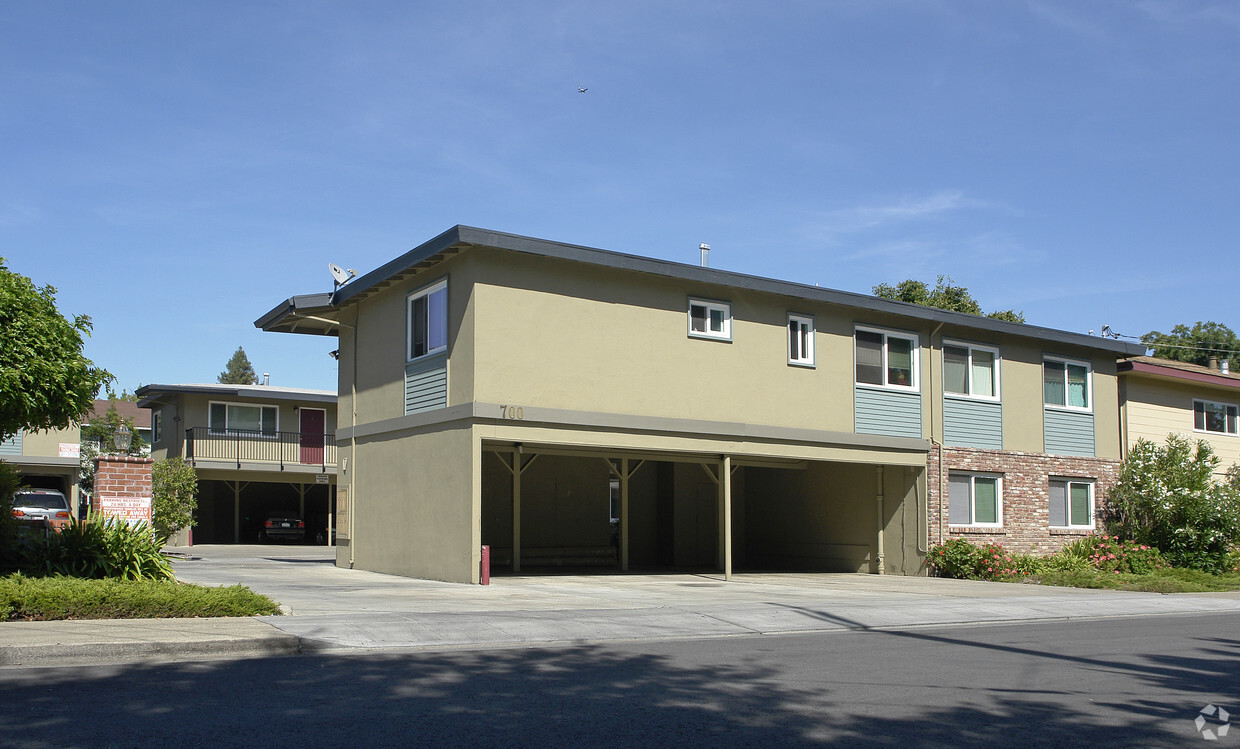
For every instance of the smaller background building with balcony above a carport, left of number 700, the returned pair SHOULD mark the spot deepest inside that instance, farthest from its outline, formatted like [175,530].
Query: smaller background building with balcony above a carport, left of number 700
[257,451]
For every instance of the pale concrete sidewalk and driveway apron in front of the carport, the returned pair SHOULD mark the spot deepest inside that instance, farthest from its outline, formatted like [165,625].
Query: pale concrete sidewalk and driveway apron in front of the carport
[342,611]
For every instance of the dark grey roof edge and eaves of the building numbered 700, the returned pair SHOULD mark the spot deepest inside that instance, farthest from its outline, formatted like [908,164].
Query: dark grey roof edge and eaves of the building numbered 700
[318,314]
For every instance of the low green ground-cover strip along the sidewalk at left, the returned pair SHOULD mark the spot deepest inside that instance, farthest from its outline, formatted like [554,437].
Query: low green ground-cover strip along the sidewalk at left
[42,600]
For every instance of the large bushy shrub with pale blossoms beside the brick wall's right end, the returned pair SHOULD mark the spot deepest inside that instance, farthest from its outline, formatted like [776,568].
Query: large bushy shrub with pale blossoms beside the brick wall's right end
[1169,498]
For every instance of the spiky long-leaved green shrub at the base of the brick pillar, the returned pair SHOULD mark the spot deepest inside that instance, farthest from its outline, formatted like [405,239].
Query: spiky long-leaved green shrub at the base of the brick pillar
[102,547]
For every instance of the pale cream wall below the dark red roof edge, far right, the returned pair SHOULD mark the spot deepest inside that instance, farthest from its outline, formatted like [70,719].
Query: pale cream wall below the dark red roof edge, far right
[1156,409]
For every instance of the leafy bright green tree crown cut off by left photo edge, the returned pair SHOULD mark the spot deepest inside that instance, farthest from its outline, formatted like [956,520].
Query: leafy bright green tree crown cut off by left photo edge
[46,383]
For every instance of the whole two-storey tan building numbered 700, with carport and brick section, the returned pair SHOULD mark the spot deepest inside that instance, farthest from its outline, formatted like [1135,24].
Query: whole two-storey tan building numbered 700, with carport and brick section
[570,406]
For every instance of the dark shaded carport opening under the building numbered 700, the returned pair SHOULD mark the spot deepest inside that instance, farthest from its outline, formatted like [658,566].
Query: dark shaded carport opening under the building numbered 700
[807,518]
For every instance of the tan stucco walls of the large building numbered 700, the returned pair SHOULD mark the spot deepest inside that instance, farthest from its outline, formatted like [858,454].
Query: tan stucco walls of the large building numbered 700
[573,365]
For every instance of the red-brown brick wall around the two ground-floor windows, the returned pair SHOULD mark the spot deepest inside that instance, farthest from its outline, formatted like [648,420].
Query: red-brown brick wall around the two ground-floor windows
[1025,495]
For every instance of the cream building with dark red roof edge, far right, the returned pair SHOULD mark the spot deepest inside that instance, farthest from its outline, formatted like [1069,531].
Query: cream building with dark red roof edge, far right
[1160,396]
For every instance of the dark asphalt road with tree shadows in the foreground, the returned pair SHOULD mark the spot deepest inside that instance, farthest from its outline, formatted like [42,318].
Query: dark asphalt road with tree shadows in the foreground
[1119,683]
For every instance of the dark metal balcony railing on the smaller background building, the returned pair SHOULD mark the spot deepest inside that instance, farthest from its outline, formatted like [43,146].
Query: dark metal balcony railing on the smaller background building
[283,448]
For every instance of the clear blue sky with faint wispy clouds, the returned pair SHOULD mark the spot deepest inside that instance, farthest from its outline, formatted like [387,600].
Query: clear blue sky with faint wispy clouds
[178,169]
